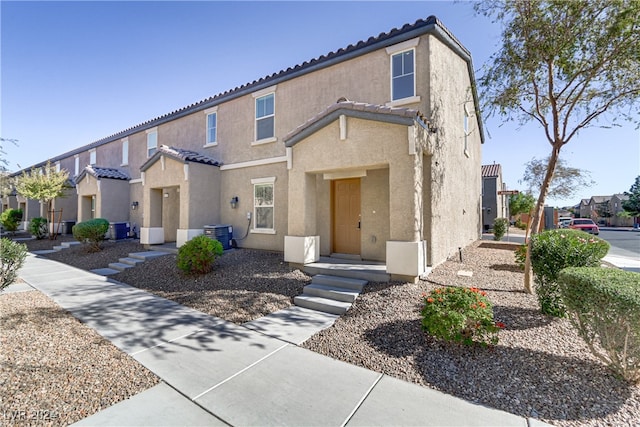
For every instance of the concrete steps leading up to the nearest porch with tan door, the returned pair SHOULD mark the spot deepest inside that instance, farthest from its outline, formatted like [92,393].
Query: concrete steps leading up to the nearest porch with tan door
[330,294]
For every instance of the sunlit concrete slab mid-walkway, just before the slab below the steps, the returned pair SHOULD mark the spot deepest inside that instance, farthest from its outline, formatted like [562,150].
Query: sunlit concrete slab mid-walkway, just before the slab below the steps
[195,363]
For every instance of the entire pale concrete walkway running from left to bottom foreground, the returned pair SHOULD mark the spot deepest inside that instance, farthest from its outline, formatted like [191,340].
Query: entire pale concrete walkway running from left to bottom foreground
[218,373]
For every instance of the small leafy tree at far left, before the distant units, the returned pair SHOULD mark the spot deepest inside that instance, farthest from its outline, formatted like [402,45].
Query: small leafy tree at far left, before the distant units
[44,185]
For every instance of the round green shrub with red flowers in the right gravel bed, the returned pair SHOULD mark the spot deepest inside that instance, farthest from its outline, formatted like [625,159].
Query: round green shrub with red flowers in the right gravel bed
[462,315]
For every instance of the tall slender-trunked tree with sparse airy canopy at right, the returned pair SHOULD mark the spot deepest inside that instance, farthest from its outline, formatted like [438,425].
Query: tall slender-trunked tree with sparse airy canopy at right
[563,65]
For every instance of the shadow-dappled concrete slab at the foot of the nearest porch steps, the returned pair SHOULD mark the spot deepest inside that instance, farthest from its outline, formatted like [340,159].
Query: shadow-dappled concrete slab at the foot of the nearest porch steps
[293,324]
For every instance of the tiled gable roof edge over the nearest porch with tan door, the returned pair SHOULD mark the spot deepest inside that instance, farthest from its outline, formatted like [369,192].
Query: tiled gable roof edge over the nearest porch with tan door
[354,109]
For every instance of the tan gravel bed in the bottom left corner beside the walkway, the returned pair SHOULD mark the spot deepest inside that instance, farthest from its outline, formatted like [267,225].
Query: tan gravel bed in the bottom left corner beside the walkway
[53,369]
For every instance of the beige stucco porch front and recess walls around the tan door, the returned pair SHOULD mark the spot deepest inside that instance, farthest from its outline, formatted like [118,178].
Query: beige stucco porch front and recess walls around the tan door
[387,193]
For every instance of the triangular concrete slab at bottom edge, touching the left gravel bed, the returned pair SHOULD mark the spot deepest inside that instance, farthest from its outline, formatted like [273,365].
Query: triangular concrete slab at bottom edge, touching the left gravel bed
[159,406]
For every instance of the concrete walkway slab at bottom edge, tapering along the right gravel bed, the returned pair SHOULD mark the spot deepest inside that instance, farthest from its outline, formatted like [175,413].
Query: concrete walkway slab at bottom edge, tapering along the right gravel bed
[396,402]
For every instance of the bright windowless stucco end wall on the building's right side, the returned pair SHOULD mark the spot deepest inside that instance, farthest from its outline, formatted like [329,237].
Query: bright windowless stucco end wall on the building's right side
[453,179]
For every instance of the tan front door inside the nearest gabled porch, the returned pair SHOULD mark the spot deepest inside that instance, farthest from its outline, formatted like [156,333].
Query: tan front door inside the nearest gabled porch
[346,216]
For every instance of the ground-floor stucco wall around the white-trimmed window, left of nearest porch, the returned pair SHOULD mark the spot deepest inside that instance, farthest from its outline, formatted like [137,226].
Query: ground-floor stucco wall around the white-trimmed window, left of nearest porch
[237,182]
